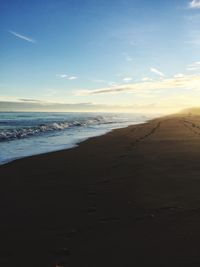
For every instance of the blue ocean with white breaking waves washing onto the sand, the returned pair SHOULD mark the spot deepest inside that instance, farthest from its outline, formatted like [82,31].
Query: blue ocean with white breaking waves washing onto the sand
[24,134]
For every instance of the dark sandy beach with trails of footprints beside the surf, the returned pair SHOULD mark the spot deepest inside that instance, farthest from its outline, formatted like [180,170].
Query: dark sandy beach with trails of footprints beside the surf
[128,198]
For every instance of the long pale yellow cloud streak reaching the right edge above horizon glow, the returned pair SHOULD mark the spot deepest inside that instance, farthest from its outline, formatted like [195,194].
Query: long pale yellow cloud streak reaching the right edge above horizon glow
[187,81]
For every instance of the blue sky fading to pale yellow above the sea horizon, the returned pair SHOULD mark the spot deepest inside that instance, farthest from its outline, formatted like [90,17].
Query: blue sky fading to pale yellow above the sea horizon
[99,55]
